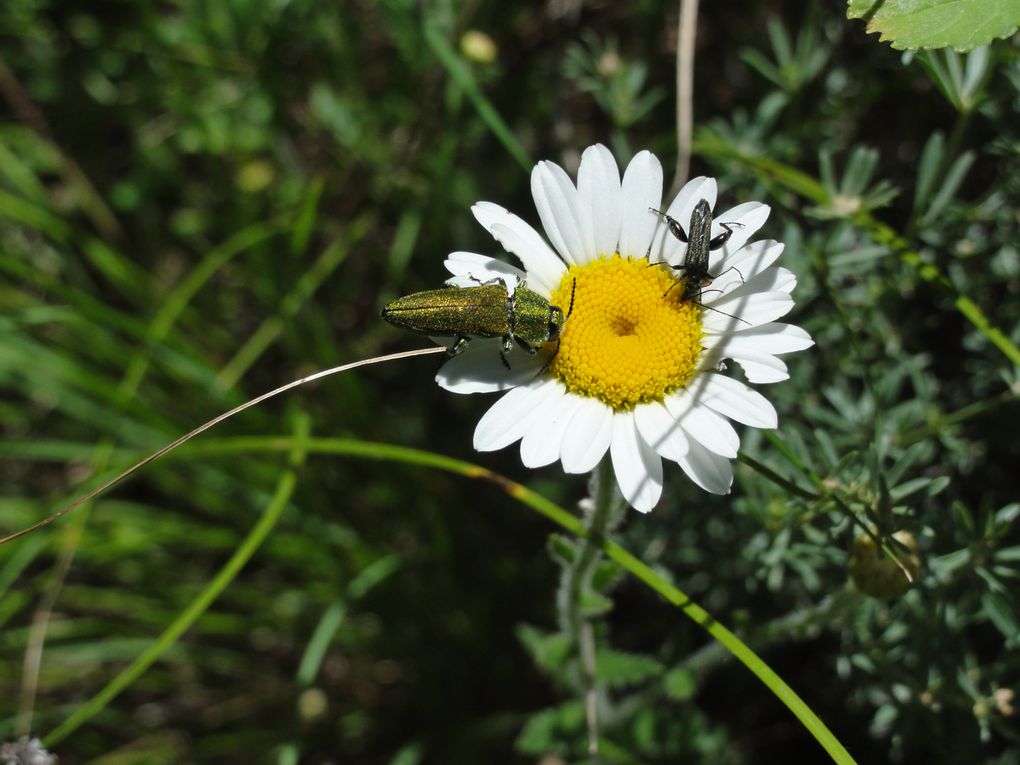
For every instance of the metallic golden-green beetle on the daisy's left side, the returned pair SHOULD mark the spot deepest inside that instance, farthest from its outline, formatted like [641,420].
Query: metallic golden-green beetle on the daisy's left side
[489,311]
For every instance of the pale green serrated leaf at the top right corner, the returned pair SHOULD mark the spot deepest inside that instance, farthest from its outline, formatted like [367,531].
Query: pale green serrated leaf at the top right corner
[938,24]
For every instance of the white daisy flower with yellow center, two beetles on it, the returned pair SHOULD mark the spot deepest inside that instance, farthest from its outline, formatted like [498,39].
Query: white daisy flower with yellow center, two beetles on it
[636,370]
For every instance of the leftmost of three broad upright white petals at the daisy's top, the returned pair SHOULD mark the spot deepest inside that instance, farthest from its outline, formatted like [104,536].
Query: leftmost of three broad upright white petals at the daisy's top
[568,222]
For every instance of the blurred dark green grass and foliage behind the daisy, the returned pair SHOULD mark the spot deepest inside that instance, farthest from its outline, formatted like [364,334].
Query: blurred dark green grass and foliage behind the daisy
[200,201]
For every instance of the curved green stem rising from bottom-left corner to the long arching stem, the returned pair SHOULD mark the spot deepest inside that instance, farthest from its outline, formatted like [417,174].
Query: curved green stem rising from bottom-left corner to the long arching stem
[256,538]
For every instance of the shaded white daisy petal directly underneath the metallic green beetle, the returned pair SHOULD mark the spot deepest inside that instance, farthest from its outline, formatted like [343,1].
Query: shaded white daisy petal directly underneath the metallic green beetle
[481,369]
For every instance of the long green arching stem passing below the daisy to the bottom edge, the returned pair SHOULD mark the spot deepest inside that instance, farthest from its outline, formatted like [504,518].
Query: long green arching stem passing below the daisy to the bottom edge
[568,522]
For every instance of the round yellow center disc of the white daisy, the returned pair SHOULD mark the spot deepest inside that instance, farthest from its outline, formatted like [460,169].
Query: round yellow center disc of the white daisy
[626,343]
